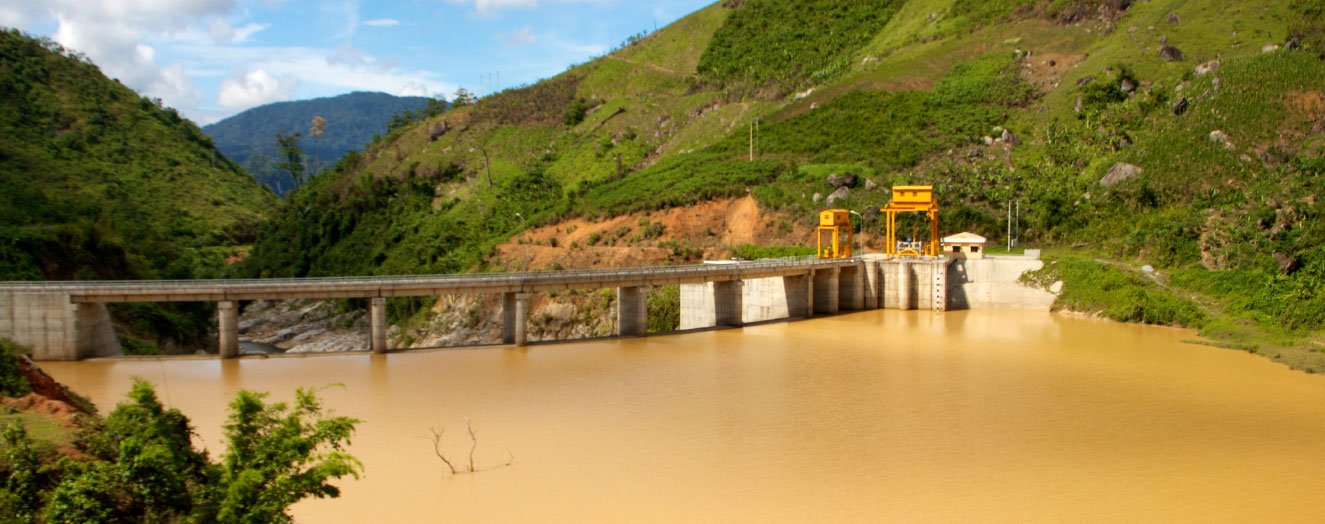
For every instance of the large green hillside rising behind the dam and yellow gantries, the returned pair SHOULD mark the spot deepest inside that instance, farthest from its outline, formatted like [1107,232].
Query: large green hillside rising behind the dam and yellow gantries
[1226,136]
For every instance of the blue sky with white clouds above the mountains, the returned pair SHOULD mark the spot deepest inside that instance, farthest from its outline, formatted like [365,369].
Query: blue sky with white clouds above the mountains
[213,59]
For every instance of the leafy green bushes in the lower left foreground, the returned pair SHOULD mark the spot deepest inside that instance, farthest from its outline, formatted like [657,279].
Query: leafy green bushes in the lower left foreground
[141,466]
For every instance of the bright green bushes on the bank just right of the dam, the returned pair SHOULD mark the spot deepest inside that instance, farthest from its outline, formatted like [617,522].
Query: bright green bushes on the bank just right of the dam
[1116,293]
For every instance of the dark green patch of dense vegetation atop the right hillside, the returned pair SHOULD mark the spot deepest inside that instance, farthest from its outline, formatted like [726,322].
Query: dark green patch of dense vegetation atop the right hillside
[788,44]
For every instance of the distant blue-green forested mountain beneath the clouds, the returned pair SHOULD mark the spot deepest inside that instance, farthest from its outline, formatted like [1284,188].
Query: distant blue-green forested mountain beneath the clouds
[352,121]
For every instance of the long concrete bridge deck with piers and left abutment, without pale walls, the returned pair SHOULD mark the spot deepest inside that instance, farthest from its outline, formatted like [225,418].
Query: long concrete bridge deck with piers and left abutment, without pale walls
[68,320]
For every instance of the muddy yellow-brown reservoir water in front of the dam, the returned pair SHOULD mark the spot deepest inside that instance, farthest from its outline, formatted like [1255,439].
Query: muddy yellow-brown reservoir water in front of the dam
[870,417]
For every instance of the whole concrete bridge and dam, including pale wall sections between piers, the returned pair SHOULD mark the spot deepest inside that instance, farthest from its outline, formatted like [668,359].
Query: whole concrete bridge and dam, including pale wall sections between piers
[70,320]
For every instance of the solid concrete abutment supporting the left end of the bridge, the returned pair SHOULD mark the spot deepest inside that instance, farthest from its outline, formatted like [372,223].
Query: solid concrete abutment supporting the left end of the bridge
[58,330]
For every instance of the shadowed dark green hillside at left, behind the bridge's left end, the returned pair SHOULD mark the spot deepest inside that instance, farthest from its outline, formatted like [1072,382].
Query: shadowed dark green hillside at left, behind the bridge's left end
[103,184]
